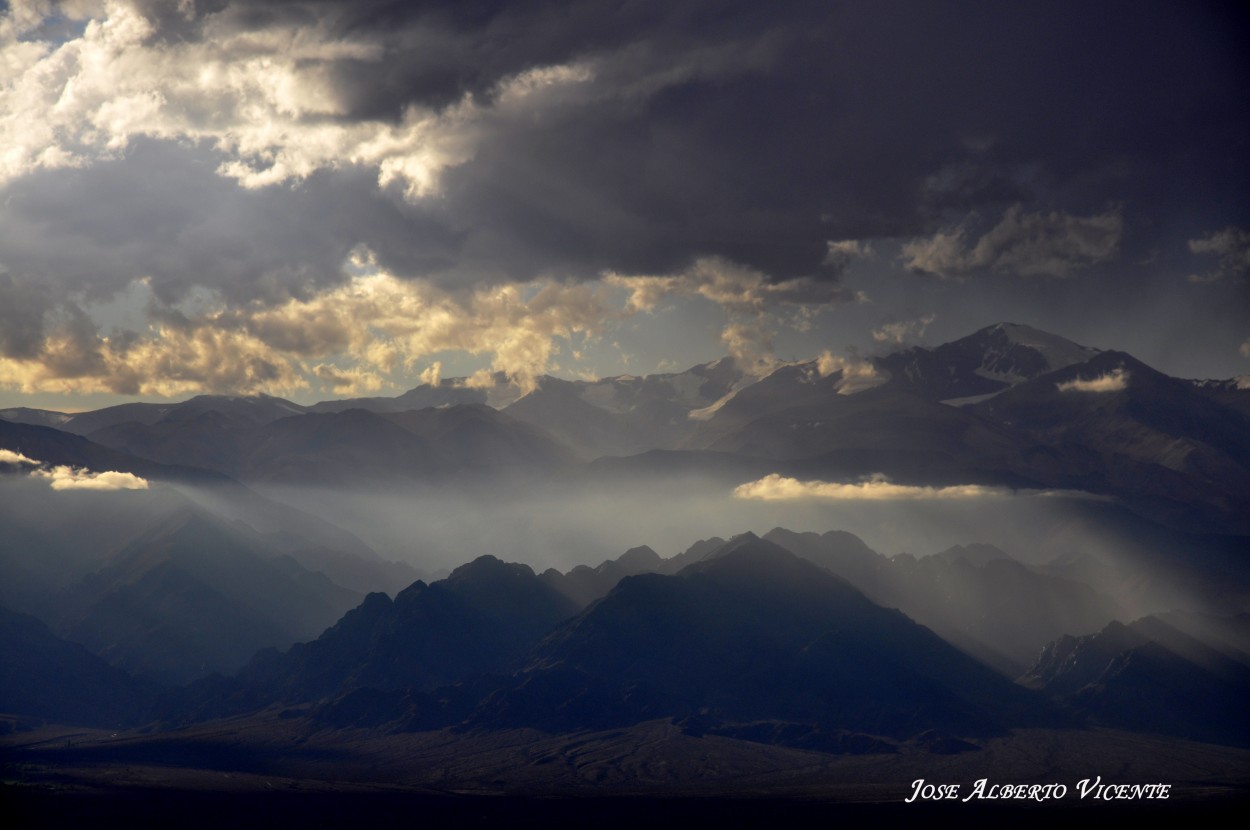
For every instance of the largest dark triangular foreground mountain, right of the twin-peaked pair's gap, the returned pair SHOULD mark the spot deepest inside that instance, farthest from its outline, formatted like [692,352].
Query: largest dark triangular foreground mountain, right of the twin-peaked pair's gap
[751,636]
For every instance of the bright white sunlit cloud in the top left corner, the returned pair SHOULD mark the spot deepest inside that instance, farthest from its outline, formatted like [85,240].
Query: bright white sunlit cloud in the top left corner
[266,99]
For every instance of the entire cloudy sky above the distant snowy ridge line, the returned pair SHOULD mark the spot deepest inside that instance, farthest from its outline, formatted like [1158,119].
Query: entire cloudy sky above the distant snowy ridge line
[328,199]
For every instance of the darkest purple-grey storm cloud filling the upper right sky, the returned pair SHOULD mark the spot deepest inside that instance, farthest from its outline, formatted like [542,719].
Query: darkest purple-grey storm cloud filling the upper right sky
[759,132]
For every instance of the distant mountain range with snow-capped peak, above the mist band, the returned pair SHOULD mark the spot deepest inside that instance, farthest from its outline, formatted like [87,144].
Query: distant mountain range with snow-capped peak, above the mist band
[1007,406]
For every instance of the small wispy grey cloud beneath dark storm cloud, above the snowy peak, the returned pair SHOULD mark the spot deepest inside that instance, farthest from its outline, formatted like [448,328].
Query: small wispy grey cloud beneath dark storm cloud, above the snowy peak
[1031,244]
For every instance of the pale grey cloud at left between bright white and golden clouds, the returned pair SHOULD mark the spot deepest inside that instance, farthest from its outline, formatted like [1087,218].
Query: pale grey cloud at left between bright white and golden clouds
[162,213]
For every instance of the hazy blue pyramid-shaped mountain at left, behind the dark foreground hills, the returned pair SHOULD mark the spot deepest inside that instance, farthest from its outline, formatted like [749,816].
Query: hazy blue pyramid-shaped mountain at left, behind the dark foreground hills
[193,596]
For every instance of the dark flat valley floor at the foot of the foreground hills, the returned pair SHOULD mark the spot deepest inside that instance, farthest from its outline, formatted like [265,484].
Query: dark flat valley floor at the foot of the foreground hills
[271,769]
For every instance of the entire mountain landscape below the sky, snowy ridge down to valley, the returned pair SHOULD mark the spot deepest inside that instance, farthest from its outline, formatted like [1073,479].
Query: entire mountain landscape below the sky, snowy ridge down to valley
[1009,553]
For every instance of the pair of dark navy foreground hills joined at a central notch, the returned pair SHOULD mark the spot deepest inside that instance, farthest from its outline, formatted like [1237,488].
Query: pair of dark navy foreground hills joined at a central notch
[749,642]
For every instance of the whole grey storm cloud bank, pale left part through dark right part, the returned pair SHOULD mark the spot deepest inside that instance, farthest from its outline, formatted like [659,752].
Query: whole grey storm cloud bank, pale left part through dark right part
[752,132]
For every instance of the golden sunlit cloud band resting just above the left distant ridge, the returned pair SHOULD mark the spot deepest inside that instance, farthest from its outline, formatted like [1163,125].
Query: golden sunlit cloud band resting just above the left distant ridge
[347,338]
